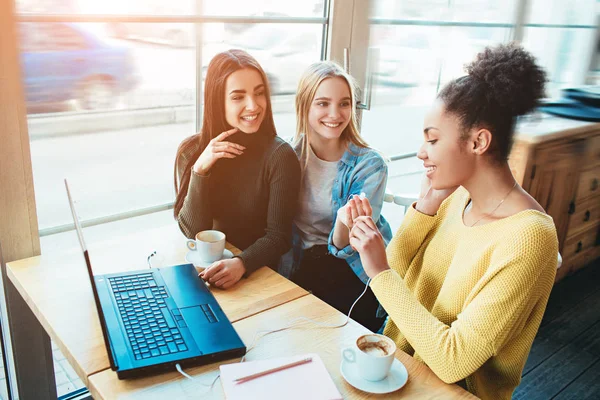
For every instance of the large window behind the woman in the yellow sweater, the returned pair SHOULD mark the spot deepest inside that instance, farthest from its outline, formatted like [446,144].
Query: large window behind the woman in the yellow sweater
[415,47]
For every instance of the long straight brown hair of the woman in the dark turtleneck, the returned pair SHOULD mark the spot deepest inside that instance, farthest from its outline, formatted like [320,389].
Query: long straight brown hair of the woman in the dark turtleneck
[213,121]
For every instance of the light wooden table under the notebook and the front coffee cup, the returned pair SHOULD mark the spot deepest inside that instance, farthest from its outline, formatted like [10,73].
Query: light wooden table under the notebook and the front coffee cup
[306,337]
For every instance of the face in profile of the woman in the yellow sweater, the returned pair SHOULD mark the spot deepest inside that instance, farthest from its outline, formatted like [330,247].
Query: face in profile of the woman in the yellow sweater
[446,157]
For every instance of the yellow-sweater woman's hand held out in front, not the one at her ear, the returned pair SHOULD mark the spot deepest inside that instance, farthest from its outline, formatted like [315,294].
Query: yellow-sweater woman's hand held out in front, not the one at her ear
[367,240]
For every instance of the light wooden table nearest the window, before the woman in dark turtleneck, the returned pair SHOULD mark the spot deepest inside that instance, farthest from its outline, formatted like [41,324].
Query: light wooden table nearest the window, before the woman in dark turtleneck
[57,291]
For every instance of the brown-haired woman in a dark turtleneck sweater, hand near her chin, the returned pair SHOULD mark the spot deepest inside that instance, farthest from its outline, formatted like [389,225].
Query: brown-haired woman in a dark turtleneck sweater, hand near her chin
[237,175]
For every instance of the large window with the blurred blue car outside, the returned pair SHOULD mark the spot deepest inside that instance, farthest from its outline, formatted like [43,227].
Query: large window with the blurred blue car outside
[113,87]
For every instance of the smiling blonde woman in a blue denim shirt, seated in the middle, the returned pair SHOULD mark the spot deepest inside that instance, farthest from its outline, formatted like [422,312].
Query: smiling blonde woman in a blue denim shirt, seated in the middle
[337,167]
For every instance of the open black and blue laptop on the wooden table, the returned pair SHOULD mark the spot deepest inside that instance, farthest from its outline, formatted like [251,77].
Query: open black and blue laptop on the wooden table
[153,319]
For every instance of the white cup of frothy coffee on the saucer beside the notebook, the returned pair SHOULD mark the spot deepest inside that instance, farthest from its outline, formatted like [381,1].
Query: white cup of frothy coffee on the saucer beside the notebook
[373,355]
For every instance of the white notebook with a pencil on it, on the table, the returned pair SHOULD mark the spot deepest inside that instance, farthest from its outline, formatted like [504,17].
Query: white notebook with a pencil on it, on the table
[306,381]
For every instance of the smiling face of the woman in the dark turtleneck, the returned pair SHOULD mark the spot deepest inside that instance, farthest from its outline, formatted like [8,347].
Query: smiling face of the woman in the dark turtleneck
[245,100]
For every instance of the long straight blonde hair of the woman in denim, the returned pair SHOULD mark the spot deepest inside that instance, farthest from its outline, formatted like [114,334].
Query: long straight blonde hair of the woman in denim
[307,88]
